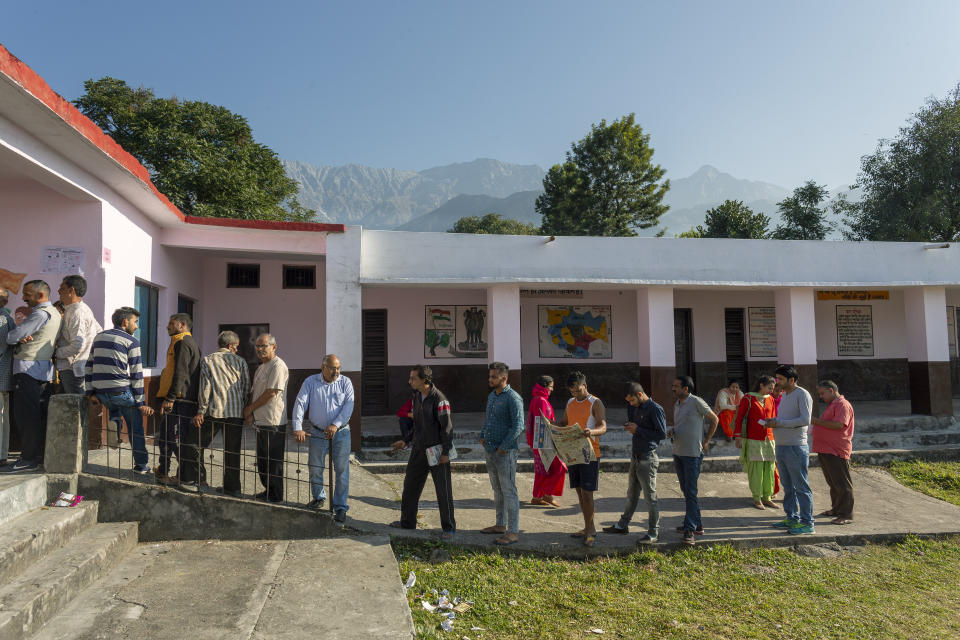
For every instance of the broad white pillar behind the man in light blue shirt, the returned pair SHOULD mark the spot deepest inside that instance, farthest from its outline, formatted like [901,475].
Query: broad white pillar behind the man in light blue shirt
[344,318]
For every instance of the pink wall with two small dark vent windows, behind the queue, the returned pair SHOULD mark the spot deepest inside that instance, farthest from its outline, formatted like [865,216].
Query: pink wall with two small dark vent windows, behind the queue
[296,316]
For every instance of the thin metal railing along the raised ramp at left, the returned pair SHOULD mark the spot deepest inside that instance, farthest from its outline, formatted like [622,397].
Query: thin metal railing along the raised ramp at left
[221,456]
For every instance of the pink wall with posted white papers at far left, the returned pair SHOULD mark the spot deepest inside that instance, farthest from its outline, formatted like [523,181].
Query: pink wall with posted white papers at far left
[35,217]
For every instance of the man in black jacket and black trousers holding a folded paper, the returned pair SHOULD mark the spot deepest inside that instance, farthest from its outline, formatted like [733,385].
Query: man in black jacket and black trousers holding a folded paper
[432,426]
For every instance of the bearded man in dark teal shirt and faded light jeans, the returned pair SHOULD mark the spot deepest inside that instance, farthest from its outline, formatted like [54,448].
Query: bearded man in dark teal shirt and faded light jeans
[501,428]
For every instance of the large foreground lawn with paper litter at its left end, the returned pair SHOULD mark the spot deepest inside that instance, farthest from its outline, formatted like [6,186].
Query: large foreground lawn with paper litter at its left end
[907,590]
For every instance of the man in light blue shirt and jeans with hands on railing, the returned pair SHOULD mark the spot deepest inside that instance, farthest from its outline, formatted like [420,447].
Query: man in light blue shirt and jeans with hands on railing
[327,400]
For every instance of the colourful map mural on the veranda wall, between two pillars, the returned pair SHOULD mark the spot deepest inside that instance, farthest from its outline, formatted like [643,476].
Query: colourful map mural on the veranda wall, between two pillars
[575,331]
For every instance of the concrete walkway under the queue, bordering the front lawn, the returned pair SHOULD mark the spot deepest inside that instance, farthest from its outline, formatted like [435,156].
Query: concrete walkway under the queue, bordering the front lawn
[884,508]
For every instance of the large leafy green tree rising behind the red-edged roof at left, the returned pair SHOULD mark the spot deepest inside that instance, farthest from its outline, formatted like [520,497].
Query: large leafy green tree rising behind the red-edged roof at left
[201,156]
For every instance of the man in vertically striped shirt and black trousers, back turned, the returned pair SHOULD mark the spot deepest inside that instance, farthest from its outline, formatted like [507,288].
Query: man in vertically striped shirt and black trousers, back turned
[224,387]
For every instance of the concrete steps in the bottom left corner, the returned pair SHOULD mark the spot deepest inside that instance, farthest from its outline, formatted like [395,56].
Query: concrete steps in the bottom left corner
[49,555]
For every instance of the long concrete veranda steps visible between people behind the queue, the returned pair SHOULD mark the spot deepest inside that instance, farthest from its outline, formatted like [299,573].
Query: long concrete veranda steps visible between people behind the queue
[874,437]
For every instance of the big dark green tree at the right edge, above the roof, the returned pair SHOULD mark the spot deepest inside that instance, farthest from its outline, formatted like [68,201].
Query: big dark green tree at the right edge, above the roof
[910,185]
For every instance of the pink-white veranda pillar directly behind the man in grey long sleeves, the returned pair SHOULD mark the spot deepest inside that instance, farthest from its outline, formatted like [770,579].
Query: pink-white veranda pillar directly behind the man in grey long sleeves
[797,334]
